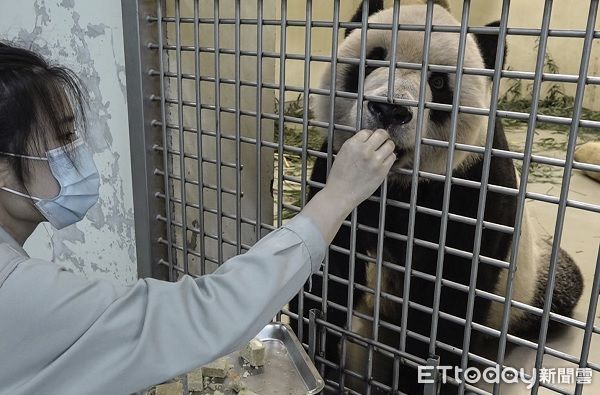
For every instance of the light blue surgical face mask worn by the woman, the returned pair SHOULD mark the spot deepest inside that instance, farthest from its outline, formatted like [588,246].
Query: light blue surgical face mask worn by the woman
[74,169]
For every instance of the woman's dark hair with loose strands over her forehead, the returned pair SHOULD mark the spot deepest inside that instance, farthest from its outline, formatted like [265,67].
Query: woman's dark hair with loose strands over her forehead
[39,103]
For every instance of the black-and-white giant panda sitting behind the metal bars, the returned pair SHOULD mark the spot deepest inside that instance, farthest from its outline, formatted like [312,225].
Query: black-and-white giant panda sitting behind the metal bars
[400,121]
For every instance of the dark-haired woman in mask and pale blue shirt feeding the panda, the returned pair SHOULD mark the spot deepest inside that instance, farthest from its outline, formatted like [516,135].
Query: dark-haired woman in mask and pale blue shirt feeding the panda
[62,334]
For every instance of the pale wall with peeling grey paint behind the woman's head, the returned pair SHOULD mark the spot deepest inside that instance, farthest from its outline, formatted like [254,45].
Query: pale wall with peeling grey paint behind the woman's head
[87,37]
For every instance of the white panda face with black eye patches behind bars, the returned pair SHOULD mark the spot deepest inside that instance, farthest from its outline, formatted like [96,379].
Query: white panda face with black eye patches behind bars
[401,121]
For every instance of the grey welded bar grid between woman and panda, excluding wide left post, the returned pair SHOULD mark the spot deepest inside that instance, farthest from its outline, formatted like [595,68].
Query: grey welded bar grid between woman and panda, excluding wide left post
[226,130]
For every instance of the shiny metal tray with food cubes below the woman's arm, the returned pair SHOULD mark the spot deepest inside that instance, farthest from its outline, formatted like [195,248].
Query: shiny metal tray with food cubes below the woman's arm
[288,369]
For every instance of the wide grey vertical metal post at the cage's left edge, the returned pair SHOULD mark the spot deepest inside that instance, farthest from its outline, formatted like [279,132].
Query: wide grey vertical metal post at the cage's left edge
[142,111]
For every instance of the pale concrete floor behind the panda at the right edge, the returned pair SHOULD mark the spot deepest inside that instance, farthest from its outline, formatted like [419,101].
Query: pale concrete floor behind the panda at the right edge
[580,238]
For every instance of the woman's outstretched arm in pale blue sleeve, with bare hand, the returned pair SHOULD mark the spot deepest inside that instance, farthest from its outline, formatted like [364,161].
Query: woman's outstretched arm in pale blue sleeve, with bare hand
[64,334]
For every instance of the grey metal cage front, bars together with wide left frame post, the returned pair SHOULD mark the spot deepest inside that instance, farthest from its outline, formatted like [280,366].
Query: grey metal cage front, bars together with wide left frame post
[210,94]
